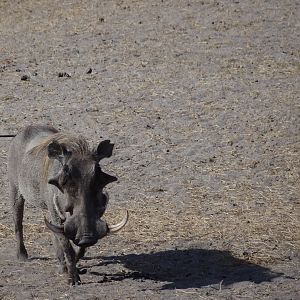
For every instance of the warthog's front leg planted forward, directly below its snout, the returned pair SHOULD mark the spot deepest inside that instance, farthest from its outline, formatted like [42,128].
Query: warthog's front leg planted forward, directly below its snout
[69,260]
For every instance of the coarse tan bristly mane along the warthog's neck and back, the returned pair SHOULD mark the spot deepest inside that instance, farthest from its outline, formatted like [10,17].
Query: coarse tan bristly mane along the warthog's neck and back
[76,144]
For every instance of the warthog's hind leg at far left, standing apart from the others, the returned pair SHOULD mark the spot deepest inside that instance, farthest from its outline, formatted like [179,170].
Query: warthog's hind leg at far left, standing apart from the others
[18,211]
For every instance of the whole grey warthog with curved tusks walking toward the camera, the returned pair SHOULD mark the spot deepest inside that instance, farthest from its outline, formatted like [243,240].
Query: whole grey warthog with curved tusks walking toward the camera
[60,173]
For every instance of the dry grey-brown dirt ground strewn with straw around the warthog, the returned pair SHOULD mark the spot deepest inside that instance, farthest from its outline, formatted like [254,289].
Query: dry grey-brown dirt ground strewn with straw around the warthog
[201,99]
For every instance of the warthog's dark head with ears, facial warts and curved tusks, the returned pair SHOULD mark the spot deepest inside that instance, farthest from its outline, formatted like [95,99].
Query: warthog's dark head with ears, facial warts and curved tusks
[82,201]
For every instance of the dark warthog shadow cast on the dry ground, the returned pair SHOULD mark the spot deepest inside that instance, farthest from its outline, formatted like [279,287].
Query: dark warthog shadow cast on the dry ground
[192,268]
